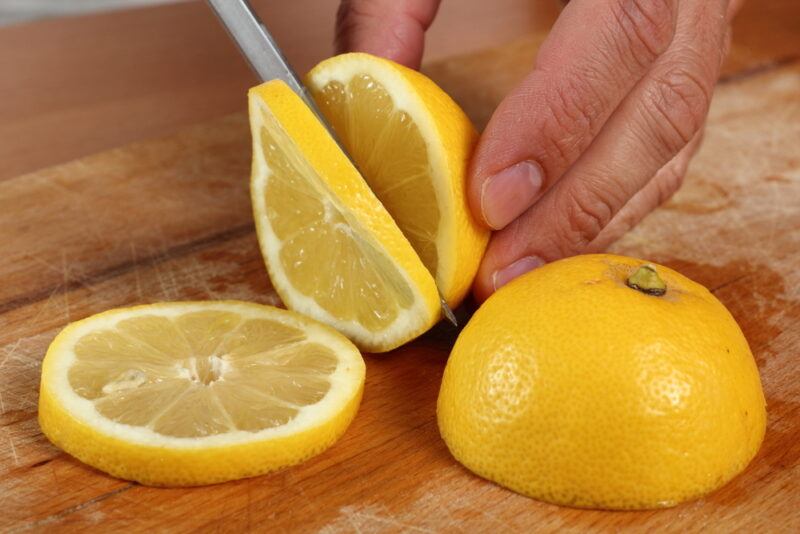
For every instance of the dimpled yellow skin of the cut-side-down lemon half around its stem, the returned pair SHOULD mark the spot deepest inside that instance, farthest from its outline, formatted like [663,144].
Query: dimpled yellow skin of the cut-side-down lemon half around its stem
[572,388]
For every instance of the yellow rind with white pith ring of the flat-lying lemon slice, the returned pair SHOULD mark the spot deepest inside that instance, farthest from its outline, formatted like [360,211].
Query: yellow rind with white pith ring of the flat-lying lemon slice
[72,424]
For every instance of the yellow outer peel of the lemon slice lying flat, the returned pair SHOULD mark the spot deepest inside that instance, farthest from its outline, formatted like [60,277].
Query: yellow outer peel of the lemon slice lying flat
[192,465]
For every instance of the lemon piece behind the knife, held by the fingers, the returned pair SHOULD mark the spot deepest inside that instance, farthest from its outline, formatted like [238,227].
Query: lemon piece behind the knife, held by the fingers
[412,144]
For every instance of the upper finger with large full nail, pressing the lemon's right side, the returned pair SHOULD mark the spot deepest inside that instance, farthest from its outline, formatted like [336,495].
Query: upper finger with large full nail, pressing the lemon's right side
[594,56]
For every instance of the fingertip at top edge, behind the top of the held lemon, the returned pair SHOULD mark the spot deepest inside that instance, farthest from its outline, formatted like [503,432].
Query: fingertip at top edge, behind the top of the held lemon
[394,29]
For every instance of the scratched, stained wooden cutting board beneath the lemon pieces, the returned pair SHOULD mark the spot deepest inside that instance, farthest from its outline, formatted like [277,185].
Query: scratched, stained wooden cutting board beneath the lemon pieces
[169,219]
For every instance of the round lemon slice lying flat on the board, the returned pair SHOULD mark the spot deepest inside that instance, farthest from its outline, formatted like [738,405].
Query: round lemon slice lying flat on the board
[182,394]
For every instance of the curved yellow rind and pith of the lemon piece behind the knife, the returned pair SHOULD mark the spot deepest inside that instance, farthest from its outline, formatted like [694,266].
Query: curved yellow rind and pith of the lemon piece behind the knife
[463,240]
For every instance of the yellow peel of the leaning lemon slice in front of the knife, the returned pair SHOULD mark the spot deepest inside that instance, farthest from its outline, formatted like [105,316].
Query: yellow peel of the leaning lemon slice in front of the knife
[351,190]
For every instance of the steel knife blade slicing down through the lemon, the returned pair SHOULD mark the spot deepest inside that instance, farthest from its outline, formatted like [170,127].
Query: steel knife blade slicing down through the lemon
[266,59]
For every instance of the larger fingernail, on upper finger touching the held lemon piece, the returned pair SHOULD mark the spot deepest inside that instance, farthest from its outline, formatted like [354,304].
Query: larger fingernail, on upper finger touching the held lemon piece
[510,192]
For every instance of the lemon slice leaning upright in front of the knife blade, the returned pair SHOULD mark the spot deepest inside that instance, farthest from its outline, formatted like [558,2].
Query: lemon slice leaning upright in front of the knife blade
[332,251]
